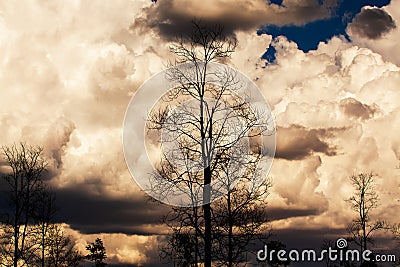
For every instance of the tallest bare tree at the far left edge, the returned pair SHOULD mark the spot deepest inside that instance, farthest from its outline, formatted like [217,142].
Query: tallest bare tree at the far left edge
[24,180]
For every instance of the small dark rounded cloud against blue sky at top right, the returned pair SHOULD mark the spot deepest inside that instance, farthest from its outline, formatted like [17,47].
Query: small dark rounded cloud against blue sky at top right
[372,23]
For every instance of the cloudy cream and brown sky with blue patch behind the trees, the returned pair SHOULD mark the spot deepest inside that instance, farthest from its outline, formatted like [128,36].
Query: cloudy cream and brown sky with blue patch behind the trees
[329,69]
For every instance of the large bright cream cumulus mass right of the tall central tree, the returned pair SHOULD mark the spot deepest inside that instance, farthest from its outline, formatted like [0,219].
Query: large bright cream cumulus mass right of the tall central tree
[340,86]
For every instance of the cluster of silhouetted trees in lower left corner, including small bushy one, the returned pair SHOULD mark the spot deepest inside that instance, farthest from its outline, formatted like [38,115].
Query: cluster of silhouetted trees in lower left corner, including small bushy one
[29,235]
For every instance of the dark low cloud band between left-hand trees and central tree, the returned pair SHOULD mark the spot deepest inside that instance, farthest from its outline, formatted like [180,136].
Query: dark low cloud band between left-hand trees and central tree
[96,213]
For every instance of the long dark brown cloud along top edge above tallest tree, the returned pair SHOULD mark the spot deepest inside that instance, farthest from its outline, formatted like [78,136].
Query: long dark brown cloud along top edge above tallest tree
[171,18]
